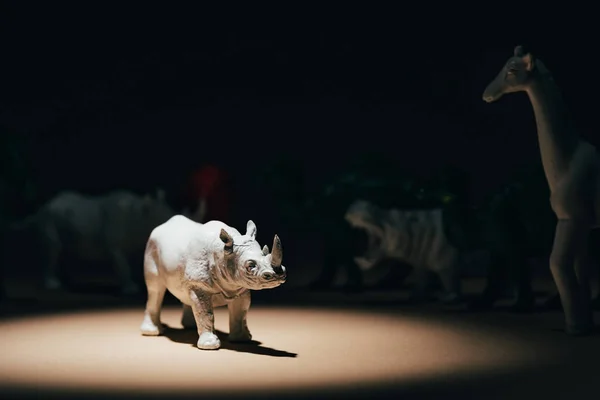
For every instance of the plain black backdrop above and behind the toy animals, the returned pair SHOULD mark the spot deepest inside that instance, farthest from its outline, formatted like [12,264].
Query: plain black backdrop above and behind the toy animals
[135,96]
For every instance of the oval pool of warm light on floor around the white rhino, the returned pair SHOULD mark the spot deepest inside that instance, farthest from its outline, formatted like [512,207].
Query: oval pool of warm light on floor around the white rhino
[103,351]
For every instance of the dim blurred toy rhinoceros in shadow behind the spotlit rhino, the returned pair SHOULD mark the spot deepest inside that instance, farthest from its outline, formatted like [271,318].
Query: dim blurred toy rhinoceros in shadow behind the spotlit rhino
[110,227]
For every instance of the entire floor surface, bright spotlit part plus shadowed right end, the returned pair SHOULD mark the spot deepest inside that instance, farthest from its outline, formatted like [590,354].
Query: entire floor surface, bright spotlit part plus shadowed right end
[304,352]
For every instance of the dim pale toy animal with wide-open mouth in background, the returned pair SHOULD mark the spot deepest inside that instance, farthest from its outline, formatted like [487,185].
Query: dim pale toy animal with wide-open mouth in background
[412,236]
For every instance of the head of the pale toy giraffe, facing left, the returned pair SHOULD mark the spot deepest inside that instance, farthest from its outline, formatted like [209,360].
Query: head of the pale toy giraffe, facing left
[514,76]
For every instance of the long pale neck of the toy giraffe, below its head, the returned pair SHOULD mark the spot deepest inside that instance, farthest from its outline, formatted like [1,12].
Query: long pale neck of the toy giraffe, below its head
[557,136]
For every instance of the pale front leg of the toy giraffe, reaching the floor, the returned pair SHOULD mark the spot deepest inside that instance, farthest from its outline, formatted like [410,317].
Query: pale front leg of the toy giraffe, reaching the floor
[568,240]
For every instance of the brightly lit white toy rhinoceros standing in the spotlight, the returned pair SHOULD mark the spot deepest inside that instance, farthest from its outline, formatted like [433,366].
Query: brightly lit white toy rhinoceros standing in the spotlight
[205,266]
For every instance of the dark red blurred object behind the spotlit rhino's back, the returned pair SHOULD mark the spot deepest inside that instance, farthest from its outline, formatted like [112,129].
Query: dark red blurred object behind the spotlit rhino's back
[211,184]
